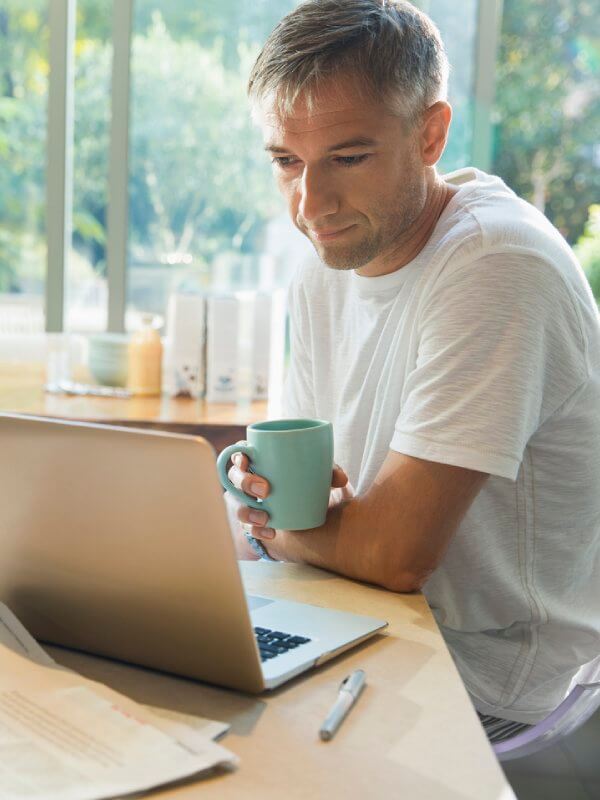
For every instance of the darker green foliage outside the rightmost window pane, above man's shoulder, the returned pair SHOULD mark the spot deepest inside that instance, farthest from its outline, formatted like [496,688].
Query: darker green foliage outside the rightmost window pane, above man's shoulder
[548,107]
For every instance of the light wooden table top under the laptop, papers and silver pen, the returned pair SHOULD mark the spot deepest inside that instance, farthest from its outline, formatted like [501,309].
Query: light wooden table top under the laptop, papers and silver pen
[413,733]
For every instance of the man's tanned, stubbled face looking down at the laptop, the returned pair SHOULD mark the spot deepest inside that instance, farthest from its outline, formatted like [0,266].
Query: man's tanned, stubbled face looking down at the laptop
[351,175]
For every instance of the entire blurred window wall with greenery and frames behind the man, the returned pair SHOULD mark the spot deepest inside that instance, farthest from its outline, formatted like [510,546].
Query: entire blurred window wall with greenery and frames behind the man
[193,200]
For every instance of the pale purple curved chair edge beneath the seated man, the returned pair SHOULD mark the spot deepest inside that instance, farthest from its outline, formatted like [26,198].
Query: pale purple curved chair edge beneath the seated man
[574,710]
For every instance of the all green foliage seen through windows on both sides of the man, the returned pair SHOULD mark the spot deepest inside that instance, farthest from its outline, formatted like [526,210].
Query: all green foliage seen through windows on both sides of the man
[195,183]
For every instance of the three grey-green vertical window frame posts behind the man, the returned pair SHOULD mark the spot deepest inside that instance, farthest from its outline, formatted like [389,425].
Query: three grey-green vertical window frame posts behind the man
[60,144]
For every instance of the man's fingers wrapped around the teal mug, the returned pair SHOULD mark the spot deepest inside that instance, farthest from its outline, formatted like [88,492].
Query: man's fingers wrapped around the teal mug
[257,522]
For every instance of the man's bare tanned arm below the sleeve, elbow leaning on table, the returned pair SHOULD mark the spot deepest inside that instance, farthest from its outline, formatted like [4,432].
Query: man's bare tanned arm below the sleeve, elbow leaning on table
[395,534]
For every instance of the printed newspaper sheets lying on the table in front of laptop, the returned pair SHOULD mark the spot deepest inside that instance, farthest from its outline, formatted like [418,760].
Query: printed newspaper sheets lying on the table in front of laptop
[63,737]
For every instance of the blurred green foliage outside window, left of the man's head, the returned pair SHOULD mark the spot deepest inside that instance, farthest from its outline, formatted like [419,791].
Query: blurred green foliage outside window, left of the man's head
[195,182]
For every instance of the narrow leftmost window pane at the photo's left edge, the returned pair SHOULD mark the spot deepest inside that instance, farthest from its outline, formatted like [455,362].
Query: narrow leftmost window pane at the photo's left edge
[23,121]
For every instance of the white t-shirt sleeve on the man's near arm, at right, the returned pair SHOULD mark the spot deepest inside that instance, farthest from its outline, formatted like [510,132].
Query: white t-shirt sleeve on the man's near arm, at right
[500,349]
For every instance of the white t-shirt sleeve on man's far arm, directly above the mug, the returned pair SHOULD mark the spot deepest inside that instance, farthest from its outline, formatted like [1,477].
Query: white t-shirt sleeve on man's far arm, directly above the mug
[298,395]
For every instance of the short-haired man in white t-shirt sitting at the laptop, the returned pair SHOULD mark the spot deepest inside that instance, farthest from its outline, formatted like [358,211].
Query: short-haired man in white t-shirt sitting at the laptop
[447,331]
